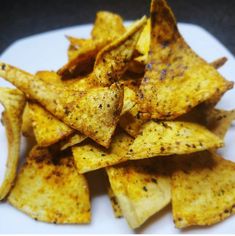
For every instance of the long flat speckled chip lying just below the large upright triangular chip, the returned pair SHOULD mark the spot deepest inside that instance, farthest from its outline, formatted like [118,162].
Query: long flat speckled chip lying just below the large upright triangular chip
[172,137]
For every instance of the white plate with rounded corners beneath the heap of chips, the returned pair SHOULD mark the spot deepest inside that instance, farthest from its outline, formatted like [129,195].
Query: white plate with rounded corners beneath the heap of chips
[47,51]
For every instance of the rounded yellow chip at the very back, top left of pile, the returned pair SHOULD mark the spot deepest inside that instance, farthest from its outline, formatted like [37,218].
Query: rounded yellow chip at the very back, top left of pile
[107,26]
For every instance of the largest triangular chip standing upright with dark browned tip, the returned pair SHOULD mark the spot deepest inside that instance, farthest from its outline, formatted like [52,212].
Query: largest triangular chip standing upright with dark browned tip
[176,78]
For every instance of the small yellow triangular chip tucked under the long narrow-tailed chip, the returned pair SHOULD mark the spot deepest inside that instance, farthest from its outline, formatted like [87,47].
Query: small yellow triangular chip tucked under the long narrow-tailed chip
[47,128]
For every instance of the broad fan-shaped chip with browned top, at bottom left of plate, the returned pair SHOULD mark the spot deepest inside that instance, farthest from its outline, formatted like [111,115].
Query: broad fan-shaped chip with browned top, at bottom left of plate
[51,190]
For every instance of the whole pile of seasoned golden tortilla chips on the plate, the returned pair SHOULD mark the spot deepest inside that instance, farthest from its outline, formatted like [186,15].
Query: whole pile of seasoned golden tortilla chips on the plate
[136,102]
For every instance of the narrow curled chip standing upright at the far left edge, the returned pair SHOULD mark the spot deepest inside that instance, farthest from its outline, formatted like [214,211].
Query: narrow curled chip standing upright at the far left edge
[13,101]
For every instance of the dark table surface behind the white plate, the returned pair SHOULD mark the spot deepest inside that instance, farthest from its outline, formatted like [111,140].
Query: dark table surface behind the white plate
[22,18]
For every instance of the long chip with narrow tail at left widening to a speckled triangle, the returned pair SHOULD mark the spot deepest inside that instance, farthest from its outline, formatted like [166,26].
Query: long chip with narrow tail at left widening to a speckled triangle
[79,110]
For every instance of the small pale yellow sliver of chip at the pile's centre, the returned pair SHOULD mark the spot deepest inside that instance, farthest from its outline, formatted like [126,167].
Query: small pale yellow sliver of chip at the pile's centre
[129,99]
